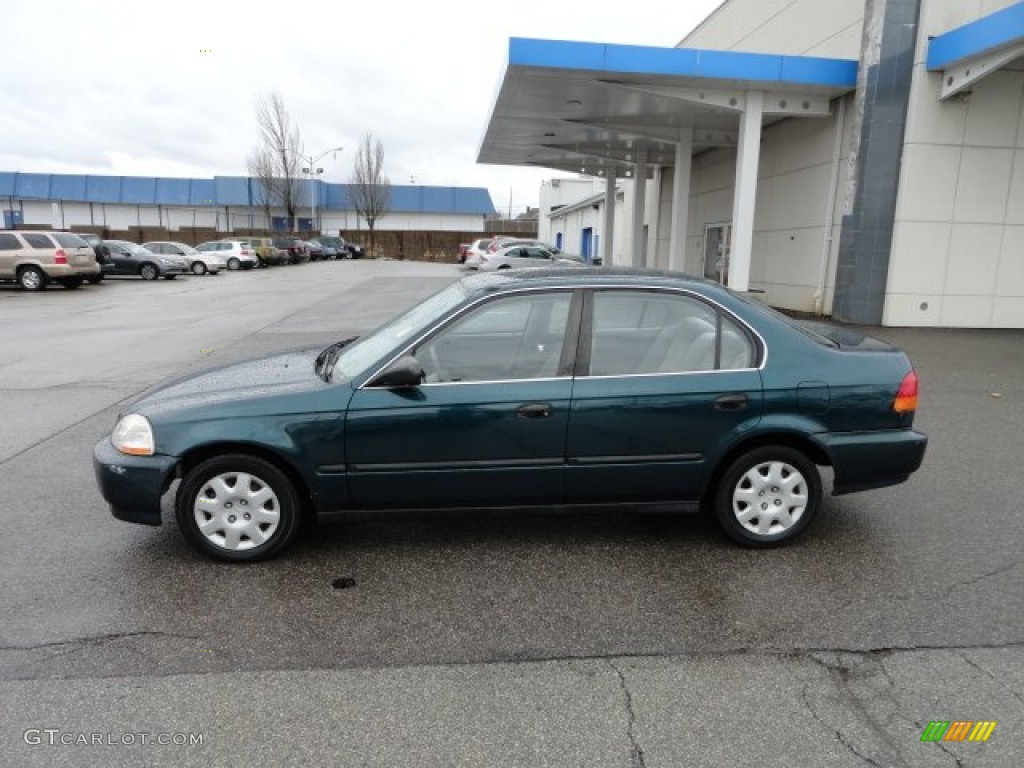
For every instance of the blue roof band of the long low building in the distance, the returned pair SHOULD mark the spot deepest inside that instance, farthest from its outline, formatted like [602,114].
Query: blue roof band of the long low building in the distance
[229,191]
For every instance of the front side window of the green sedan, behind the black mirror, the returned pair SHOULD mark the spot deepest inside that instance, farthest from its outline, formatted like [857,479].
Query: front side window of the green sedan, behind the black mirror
[513,338]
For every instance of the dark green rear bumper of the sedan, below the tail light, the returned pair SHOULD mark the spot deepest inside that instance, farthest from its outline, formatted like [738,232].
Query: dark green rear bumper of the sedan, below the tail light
[873,460]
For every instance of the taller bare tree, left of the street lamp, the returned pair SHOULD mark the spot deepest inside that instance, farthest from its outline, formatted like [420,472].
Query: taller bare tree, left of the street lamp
[280,152]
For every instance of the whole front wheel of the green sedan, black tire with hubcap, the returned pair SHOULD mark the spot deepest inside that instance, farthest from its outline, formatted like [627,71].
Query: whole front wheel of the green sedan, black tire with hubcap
[229,537]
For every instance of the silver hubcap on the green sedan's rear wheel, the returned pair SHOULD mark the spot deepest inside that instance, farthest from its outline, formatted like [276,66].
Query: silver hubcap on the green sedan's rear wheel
[771,498]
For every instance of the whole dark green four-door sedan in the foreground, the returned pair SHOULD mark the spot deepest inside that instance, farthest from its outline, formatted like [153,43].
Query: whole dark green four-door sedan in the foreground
[527,389]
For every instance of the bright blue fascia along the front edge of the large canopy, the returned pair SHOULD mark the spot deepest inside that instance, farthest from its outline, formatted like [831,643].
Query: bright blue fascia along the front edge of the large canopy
[637,60]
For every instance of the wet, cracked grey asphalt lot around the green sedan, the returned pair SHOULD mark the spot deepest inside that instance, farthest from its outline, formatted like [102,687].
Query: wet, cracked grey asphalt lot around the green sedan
[541,638]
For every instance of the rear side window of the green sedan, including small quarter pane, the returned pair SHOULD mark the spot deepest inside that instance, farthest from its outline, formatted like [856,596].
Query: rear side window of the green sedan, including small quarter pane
[637,332]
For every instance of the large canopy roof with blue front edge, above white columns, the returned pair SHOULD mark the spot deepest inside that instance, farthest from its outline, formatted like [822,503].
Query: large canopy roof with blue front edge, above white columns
[591,108]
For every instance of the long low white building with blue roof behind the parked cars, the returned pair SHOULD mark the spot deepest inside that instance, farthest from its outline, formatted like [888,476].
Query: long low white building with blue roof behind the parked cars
[225,204]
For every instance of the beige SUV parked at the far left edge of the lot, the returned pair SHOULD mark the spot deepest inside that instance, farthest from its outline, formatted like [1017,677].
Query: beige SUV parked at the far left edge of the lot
[35,259]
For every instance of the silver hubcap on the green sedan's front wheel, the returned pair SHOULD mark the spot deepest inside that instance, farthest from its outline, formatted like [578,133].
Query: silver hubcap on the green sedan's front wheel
[237,511]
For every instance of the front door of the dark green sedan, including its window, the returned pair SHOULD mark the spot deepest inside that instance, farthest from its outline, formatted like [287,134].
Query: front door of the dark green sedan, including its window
[488,425]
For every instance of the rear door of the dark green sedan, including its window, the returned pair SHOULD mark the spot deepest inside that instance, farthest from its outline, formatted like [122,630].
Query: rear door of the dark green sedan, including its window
[664,378]
